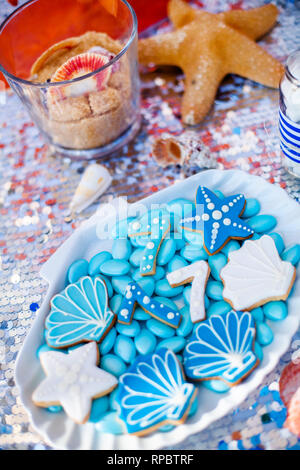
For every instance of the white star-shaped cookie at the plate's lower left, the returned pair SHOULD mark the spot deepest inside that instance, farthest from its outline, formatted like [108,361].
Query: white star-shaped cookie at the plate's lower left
[72,381]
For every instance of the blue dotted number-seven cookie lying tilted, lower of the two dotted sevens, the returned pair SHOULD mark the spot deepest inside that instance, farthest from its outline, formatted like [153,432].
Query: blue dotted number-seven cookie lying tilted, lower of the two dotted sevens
[135,294]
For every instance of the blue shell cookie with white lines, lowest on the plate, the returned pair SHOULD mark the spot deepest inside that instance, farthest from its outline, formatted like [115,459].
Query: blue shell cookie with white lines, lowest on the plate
[153,393]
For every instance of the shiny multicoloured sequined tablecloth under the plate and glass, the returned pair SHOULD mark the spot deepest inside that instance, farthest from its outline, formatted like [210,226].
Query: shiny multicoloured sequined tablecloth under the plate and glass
[36,188]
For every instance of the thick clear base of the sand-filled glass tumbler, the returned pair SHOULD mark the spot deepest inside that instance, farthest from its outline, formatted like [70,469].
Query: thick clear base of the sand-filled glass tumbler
[99,152]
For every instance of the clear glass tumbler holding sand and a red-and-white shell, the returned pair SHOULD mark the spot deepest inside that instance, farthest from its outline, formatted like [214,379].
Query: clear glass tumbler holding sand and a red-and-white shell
[95,113]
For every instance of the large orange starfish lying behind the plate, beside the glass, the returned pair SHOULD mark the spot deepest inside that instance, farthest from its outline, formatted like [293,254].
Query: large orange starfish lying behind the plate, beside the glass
[209,46]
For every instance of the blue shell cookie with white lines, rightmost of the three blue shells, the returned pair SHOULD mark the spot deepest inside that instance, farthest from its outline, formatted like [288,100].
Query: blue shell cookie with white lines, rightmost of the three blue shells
[222,347]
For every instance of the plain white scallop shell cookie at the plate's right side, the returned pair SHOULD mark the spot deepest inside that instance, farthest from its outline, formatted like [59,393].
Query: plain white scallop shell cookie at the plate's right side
[255,274]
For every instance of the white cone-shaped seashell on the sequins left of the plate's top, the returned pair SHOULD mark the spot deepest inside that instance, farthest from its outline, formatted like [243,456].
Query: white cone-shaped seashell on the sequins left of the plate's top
[94,182]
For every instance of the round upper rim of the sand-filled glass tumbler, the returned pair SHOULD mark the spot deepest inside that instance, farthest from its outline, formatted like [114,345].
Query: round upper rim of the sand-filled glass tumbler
[74,80]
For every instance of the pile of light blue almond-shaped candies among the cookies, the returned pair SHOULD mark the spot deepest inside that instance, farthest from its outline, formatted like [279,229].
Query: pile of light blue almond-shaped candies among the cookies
[145,334]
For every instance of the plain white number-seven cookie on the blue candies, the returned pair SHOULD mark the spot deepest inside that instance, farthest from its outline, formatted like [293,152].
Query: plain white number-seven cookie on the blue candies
[198,273]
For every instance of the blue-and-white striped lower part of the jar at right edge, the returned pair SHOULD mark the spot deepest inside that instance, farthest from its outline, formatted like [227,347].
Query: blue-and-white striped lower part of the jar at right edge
[289,138]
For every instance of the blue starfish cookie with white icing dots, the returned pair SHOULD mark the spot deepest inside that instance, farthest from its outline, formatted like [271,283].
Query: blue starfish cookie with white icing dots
[218,219]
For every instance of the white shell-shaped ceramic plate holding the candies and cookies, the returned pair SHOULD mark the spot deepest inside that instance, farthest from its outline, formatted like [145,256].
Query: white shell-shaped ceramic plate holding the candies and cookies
[57,429]
